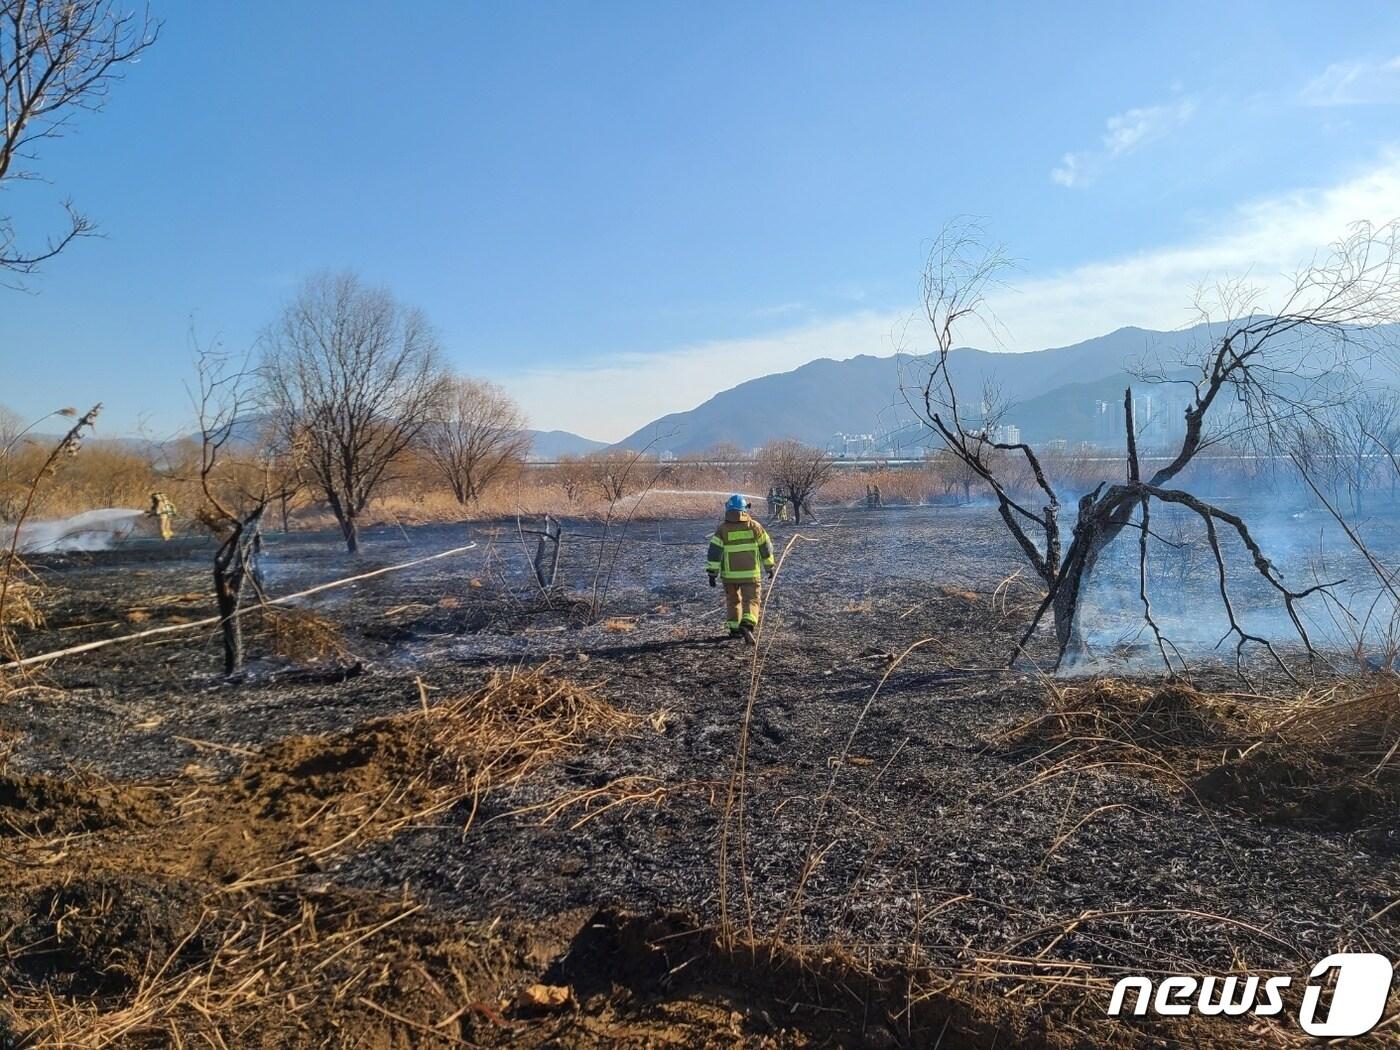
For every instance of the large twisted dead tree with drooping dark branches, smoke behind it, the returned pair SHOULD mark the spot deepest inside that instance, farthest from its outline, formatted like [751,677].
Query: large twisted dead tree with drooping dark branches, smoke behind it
[1256,376]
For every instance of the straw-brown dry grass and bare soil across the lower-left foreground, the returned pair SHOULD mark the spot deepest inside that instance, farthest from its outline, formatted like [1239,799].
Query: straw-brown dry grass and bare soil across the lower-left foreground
[188,912]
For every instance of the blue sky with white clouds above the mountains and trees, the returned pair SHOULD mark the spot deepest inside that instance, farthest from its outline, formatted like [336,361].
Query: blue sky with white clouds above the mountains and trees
[619,209]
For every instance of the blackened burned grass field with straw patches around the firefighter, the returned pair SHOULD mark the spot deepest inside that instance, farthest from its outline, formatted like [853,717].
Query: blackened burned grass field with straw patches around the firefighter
[446,807]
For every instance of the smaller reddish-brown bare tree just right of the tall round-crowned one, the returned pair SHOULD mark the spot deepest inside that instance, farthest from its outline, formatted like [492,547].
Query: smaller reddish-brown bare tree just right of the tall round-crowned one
[478,436]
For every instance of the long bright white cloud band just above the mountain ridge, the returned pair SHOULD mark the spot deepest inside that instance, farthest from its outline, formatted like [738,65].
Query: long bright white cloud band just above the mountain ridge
[1268,240]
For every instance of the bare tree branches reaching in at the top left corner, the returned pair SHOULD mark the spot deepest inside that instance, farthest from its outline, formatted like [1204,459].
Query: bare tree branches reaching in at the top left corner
[58,59]
